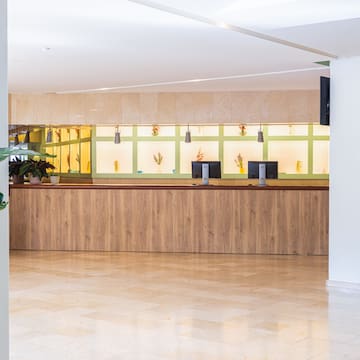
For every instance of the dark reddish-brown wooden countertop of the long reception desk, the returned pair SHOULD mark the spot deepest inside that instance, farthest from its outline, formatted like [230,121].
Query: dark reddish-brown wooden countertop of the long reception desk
[67,186]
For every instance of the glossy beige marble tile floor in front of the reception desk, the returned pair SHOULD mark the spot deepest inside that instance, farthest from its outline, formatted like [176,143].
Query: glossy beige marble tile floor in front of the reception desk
[141,306]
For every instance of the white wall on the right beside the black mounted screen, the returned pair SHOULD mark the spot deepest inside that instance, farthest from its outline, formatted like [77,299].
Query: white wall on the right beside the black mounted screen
[344,246]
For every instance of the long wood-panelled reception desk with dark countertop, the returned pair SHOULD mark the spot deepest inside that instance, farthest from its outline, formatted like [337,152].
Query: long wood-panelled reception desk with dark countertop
[170,218]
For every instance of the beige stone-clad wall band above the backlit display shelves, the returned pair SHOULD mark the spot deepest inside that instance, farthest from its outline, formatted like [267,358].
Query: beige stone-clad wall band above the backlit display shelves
[166,108]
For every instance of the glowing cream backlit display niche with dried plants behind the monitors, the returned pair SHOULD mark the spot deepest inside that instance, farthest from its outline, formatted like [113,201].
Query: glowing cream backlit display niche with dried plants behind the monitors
[152,151]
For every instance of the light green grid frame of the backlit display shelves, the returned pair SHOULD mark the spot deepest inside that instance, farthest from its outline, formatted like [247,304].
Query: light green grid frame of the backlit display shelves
[177,139]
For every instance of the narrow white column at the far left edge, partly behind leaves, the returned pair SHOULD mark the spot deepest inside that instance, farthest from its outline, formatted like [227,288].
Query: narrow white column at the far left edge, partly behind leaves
[4,215]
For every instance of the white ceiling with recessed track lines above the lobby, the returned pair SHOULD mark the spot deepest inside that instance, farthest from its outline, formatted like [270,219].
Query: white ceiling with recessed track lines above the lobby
[131,45]
